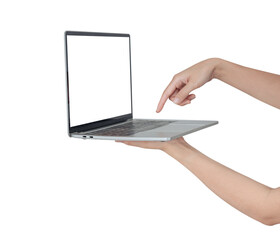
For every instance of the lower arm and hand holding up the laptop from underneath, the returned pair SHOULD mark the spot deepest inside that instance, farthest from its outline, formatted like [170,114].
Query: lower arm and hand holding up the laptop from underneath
[248,196]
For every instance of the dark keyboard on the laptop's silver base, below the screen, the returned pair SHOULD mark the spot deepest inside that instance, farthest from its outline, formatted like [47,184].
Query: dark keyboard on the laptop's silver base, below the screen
[130,128]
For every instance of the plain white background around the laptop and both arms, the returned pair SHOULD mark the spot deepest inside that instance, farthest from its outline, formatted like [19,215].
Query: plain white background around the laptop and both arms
[54,187]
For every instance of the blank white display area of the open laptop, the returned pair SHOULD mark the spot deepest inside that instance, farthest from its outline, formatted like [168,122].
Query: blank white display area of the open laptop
[99,78]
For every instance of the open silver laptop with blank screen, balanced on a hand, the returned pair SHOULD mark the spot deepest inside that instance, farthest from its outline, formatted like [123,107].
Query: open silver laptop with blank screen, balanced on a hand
[99,92]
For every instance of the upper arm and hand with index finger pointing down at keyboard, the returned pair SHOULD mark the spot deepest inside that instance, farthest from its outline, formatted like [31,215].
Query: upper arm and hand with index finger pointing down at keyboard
[261,85]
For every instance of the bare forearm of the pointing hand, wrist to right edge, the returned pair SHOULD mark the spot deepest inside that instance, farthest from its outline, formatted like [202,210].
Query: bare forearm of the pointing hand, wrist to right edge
[261,85]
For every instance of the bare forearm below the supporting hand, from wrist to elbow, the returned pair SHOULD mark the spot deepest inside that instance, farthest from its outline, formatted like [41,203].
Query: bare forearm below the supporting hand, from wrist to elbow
[241,192]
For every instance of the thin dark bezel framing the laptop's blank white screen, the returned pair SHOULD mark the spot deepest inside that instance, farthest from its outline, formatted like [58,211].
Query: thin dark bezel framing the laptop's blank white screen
[104,122]
